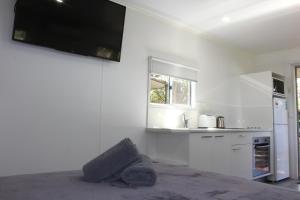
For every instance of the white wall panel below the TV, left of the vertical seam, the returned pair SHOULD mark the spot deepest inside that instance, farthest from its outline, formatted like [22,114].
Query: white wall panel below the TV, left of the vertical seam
[49,105]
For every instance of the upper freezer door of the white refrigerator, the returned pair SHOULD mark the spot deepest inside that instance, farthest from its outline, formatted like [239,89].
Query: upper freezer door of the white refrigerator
[280,111]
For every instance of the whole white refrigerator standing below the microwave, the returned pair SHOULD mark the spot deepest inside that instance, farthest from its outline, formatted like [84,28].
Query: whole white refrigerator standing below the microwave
[281,143]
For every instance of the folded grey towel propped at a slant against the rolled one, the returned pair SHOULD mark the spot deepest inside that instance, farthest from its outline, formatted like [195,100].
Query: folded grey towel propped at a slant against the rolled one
[112,161]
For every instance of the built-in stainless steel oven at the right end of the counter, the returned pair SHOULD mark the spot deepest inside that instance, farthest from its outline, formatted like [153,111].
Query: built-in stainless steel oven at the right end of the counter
[261,156]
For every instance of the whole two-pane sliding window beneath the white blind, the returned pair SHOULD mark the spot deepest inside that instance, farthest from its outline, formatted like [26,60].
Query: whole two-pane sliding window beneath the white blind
[170,90]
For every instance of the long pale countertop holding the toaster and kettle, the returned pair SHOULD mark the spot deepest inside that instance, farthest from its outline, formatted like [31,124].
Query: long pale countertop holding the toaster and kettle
[203,130]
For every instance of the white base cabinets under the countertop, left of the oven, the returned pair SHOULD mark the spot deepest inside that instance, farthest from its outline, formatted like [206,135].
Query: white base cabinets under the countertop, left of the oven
[227,153]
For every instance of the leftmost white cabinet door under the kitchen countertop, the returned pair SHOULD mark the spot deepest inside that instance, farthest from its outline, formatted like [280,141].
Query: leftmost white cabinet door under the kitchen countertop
[201,151]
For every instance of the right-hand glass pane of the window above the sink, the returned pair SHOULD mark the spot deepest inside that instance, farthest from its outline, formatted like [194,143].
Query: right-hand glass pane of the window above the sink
[180,91]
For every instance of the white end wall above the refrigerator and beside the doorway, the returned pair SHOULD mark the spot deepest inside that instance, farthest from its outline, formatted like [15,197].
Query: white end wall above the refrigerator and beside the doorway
[282,62]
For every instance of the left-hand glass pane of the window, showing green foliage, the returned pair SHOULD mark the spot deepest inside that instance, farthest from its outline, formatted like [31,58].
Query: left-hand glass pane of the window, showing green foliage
[159,92]
